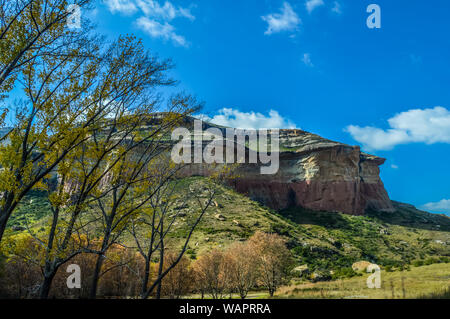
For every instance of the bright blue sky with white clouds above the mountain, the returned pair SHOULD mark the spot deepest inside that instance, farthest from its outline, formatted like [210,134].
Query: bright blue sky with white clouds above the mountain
[315,64]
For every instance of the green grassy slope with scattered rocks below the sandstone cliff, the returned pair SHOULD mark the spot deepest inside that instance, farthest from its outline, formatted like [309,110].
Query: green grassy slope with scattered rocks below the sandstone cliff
[324,241]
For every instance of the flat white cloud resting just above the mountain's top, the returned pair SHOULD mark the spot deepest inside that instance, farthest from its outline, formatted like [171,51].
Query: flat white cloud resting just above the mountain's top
[249,120]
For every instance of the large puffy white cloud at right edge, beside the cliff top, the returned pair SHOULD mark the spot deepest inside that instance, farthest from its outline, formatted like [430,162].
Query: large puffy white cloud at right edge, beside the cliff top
[428,126]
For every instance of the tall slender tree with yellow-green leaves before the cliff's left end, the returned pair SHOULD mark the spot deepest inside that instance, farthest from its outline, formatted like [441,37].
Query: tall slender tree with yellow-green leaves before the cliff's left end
[104,163]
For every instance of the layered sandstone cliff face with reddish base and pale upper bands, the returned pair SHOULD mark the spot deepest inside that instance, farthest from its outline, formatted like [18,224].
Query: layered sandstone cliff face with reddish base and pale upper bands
[314,173]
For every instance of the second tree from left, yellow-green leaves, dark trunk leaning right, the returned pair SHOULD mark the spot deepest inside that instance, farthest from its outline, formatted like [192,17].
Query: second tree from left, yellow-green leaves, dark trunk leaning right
[125,103]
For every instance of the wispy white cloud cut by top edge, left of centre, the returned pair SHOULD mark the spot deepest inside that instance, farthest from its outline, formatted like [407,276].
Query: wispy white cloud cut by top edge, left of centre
[165,12]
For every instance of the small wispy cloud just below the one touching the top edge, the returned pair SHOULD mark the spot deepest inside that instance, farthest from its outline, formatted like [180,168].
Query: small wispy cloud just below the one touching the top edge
[161,30]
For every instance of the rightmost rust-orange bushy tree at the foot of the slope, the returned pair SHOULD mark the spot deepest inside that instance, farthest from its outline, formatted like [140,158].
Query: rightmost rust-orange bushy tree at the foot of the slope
[273,259]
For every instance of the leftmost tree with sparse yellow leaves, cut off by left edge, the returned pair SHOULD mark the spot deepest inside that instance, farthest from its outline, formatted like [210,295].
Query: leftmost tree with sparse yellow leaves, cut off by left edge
[59,71]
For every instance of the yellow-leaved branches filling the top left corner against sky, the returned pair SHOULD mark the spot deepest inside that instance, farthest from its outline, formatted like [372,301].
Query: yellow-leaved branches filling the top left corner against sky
[35,29]
